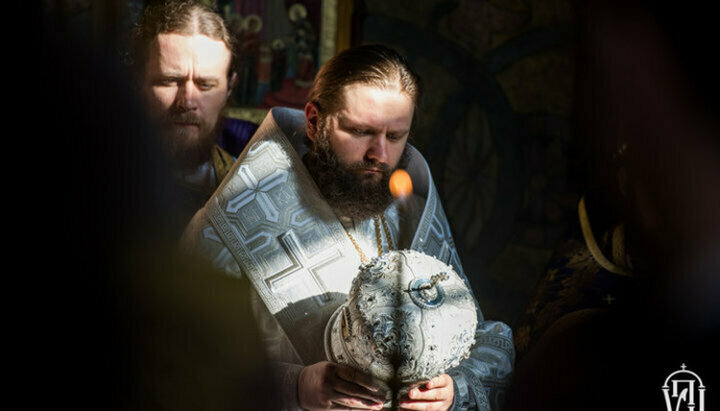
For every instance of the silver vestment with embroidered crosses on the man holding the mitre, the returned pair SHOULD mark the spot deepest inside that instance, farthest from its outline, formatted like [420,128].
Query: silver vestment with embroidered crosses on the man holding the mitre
[268,221]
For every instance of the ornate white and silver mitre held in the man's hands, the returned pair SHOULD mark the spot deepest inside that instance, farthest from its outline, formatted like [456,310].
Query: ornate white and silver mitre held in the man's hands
[408,318]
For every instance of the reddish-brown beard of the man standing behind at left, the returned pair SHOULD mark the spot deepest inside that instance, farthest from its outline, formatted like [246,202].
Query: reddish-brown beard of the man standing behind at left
[188,148]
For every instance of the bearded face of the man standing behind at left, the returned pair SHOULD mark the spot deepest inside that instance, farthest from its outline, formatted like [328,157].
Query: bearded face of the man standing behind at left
[186,87]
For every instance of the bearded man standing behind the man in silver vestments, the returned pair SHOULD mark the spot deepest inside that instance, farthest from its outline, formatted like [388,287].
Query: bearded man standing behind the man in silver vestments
[183,61]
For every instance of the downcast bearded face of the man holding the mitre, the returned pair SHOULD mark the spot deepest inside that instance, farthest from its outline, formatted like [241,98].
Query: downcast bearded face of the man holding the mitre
[358,147]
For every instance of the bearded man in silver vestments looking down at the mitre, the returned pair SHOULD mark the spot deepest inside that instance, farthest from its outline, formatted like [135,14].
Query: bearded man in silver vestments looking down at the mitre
[308,202]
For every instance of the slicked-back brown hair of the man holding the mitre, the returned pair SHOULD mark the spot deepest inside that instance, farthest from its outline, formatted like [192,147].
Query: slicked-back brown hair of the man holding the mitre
[376,65]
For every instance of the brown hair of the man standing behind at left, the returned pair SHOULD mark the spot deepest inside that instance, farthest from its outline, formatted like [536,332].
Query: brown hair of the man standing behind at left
[176,16]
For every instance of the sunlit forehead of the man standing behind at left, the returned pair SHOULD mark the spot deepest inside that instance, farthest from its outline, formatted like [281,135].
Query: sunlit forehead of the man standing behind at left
[174,50]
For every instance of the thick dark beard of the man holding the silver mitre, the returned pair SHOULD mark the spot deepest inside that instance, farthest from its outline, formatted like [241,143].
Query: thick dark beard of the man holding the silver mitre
[347,193]
